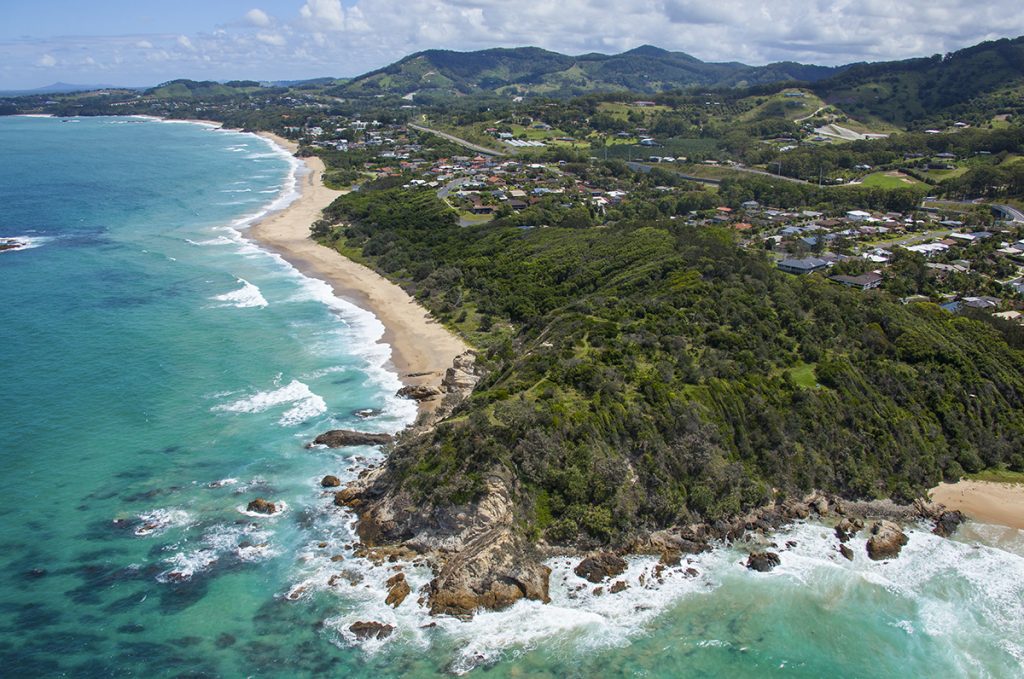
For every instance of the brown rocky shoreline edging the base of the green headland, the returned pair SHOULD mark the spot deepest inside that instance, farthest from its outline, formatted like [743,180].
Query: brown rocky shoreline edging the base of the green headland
[481,560]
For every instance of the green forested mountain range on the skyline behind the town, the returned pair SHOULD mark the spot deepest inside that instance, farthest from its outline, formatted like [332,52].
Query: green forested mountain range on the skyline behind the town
[989,76]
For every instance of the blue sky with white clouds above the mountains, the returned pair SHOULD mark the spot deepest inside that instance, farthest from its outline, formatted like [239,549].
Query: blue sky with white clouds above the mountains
[145,43]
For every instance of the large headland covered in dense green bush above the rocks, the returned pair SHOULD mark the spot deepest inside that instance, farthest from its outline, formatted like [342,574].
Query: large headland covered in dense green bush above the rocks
[647,374]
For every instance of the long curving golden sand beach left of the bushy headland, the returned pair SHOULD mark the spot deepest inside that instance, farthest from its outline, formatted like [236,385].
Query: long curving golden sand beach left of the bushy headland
[421,349]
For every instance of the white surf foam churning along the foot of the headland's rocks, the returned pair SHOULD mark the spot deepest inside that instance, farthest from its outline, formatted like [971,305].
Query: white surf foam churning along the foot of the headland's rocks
[932,573]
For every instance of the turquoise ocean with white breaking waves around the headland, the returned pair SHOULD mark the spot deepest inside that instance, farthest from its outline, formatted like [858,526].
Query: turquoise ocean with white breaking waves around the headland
[159,372]
